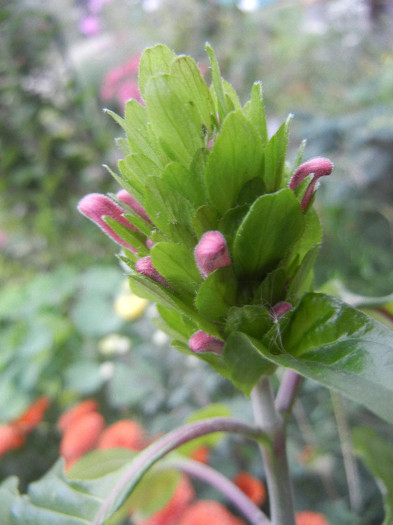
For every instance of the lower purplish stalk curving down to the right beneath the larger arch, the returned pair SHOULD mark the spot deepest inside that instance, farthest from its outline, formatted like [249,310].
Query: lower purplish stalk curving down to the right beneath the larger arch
[205,473]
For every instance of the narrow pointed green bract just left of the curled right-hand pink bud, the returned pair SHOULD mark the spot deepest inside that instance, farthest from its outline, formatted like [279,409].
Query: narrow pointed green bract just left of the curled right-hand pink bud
[274,158]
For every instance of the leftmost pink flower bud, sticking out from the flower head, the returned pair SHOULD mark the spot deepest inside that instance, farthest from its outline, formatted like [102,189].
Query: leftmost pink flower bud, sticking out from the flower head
[95,206]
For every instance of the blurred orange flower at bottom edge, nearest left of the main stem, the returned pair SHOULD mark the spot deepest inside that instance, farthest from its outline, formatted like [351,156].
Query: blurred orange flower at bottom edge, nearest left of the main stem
[209,512]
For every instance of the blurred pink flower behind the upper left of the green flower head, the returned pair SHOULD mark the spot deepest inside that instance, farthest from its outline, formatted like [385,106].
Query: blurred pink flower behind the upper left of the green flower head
[121,82]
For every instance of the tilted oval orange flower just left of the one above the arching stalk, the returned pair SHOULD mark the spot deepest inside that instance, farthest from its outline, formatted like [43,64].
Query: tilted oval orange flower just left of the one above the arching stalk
[81,436]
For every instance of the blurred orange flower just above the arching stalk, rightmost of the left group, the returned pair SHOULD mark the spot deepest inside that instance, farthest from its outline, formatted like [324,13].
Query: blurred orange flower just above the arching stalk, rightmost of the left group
[125,434]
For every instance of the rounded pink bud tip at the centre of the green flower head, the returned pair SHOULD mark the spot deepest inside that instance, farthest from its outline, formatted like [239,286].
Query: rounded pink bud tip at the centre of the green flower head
[211,253]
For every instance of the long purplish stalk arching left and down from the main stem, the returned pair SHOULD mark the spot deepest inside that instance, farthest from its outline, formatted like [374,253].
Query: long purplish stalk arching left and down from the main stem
[163,446]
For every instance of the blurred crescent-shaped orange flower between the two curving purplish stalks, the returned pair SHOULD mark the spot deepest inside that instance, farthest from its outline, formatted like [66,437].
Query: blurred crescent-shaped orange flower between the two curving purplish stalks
[181,499]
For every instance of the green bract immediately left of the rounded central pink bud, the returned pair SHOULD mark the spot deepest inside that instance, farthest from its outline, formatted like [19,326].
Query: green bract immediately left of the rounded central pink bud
[177,265]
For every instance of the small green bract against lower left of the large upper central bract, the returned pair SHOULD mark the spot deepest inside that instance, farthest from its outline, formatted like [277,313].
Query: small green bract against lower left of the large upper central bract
[185,182]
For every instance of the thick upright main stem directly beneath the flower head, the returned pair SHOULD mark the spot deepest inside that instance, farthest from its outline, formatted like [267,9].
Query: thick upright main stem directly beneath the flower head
[275,457]
